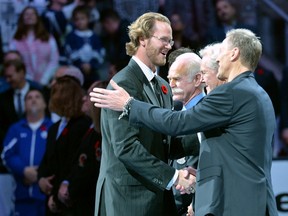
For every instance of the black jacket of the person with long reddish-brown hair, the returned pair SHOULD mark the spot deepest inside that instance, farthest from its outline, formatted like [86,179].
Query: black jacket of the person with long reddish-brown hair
[61,153]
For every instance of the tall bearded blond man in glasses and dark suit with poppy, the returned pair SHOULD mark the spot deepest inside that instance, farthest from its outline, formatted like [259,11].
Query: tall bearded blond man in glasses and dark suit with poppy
[135,178]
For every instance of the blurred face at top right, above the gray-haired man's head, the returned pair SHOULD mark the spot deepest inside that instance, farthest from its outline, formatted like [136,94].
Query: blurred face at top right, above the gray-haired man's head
[225,11]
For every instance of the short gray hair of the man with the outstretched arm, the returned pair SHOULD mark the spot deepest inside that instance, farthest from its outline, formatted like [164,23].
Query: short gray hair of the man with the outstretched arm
[249,45]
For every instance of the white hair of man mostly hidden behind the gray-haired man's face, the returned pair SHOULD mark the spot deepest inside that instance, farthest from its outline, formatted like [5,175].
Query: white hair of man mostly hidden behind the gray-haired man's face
[211,51]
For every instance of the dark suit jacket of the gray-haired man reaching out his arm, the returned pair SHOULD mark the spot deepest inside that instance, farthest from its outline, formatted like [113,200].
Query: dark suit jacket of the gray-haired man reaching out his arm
[233,176]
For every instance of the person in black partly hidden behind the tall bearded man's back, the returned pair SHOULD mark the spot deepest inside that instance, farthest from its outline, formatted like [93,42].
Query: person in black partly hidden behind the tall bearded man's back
[78,191]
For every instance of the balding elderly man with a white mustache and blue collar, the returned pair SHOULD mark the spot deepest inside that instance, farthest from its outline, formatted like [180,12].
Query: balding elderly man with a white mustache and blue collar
[186,83]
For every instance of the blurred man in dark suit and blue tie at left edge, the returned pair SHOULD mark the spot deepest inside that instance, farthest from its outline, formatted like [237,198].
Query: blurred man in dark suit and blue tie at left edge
[11,111]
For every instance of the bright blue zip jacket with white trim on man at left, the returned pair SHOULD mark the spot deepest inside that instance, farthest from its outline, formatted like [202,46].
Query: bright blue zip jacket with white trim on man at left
[24,147]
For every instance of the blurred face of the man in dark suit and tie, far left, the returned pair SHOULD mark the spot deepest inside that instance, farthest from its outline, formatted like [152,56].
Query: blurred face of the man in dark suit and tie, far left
[14,78]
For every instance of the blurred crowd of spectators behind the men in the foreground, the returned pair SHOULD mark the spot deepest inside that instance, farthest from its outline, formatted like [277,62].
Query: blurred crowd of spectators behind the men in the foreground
[53,53]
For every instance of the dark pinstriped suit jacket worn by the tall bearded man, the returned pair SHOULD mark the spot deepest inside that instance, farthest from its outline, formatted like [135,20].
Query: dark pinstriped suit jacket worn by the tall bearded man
[134,171]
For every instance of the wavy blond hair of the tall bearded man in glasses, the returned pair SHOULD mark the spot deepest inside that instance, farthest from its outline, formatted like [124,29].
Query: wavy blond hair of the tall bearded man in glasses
[142,27]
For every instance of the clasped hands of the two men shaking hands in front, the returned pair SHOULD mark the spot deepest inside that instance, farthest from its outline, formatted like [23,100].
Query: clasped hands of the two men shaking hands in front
[186,180]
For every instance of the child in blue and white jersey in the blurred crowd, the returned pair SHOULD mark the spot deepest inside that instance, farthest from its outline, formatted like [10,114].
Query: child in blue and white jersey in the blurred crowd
[83,47]
